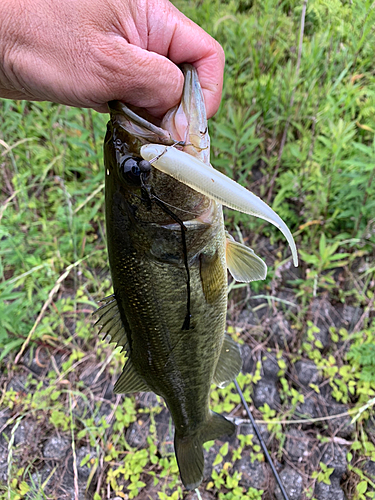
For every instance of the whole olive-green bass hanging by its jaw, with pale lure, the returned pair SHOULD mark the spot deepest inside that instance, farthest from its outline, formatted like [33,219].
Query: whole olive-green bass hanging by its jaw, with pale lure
[168,254]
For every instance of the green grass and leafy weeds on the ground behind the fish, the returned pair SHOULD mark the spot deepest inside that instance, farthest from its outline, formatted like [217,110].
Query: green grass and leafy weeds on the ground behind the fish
[297,130]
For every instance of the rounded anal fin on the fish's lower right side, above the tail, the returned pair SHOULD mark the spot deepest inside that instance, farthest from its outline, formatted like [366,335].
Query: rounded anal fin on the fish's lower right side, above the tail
[229,364]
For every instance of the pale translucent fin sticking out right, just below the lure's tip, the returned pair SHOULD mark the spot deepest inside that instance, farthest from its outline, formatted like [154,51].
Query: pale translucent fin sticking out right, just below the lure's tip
[243,264]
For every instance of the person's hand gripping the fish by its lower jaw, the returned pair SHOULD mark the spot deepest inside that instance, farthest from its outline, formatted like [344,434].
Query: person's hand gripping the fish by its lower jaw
[87,52]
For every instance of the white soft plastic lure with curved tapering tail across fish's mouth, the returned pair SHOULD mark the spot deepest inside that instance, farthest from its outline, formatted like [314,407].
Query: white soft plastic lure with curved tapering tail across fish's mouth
[213,184]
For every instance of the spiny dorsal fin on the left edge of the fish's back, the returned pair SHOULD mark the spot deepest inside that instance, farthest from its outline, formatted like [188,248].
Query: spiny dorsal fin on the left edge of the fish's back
[111,323]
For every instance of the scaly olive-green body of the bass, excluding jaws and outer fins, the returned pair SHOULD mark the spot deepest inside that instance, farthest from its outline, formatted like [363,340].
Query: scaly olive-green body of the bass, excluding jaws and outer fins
[150,285]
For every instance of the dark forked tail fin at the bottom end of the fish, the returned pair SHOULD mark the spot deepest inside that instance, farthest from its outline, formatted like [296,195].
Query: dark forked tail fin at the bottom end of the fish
[189,450]
